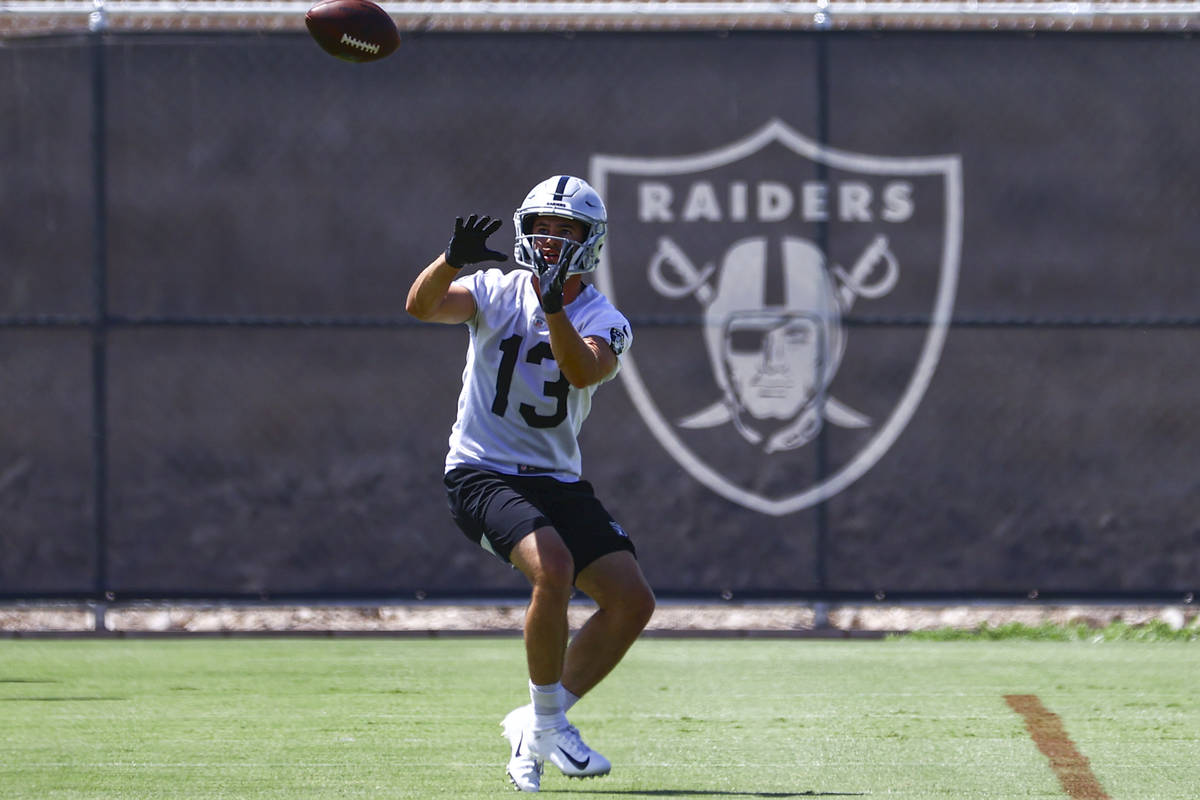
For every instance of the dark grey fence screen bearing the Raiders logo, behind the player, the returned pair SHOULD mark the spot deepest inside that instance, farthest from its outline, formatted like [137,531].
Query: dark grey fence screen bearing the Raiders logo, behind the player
[968,262]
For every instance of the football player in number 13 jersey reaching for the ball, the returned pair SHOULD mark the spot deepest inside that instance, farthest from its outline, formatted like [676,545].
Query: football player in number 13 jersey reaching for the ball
[542,341]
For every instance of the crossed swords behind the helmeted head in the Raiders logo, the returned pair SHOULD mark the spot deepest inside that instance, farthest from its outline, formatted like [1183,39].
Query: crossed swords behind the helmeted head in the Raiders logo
[861,281]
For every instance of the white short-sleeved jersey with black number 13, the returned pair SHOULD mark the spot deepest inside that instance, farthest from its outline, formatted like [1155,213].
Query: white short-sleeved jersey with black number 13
[518,413]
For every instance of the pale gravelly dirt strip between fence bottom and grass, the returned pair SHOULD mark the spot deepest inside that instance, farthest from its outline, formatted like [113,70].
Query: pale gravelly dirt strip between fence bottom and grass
[670,618]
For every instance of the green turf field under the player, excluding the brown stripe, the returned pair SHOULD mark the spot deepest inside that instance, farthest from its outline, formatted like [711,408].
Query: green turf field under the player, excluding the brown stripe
[400,718]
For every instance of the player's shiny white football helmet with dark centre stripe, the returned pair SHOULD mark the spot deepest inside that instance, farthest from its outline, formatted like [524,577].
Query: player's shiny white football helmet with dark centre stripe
[563,196]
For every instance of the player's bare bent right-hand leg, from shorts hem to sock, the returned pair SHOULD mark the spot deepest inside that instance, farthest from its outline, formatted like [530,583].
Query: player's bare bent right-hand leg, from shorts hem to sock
[626,604]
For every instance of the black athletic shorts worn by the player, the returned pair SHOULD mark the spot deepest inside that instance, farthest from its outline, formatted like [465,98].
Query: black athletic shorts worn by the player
[496,512]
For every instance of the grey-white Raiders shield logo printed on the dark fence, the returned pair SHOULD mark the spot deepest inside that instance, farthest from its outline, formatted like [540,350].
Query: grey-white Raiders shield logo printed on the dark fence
[787,294]
